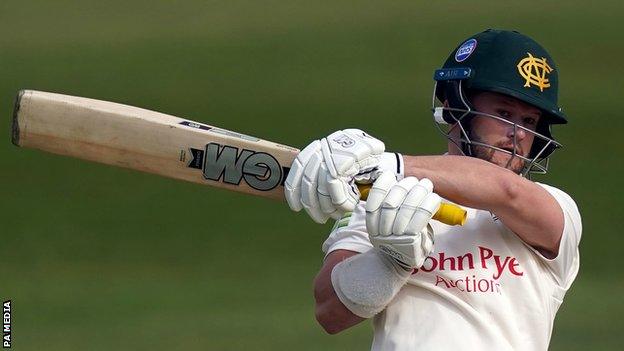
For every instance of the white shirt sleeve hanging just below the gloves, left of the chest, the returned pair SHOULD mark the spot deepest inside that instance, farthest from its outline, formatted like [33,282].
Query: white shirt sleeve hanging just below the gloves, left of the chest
[349,233]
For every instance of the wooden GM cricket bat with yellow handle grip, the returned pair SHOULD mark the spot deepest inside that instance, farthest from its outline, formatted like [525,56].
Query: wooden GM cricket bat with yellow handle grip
[153,142]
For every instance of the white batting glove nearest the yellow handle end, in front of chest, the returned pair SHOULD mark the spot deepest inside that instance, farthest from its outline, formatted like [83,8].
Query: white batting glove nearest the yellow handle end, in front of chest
[397,218]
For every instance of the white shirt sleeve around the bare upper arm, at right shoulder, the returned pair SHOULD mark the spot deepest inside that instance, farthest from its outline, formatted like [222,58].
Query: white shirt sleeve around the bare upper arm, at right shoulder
[566,265]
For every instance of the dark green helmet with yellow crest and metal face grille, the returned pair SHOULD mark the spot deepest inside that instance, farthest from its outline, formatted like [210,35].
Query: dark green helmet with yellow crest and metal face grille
[508,63]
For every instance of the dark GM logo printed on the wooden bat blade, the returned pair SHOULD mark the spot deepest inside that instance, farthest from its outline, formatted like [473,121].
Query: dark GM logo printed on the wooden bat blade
[228,164]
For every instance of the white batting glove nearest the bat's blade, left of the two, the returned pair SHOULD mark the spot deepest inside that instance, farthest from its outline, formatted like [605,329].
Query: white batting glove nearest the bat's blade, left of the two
[322,177]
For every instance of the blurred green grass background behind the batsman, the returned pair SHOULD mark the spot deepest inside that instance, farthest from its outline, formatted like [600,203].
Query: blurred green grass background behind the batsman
[99,258]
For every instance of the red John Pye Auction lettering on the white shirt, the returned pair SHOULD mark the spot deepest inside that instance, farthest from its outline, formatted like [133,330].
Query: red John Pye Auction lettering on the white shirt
[485,267]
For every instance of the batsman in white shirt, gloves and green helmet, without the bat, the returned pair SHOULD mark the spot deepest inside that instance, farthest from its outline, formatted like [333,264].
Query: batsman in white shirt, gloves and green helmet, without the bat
[495,283]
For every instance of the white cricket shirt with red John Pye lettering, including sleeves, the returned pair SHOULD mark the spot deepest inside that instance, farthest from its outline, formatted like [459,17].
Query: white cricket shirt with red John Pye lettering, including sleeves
[482,288]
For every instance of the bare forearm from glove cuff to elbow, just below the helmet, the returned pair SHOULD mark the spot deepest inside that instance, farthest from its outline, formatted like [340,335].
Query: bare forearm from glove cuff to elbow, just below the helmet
[465,180]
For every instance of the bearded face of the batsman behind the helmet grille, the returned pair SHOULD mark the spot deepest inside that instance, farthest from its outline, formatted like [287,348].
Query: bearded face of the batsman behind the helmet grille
[501,134]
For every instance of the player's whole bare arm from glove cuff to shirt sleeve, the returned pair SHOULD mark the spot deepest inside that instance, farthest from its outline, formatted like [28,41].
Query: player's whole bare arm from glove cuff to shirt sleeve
[523,206]
